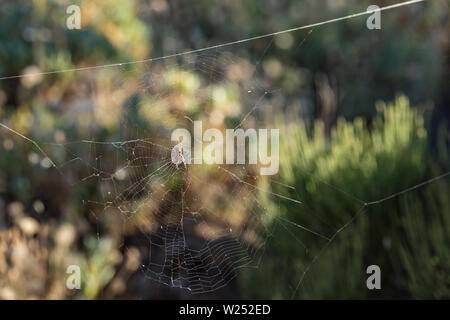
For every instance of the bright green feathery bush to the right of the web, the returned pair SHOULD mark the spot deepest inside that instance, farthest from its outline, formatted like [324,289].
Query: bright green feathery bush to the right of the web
[343,181]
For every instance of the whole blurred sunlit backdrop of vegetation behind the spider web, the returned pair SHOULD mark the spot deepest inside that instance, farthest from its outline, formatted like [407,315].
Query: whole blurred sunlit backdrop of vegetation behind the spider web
[363,118]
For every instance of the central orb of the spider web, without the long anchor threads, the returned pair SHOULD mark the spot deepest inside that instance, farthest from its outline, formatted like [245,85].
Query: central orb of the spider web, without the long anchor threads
[192,243]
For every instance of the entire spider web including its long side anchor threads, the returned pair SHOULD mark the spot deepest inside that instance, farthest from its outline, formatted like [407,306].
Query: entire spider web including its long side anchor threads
[202,223]
